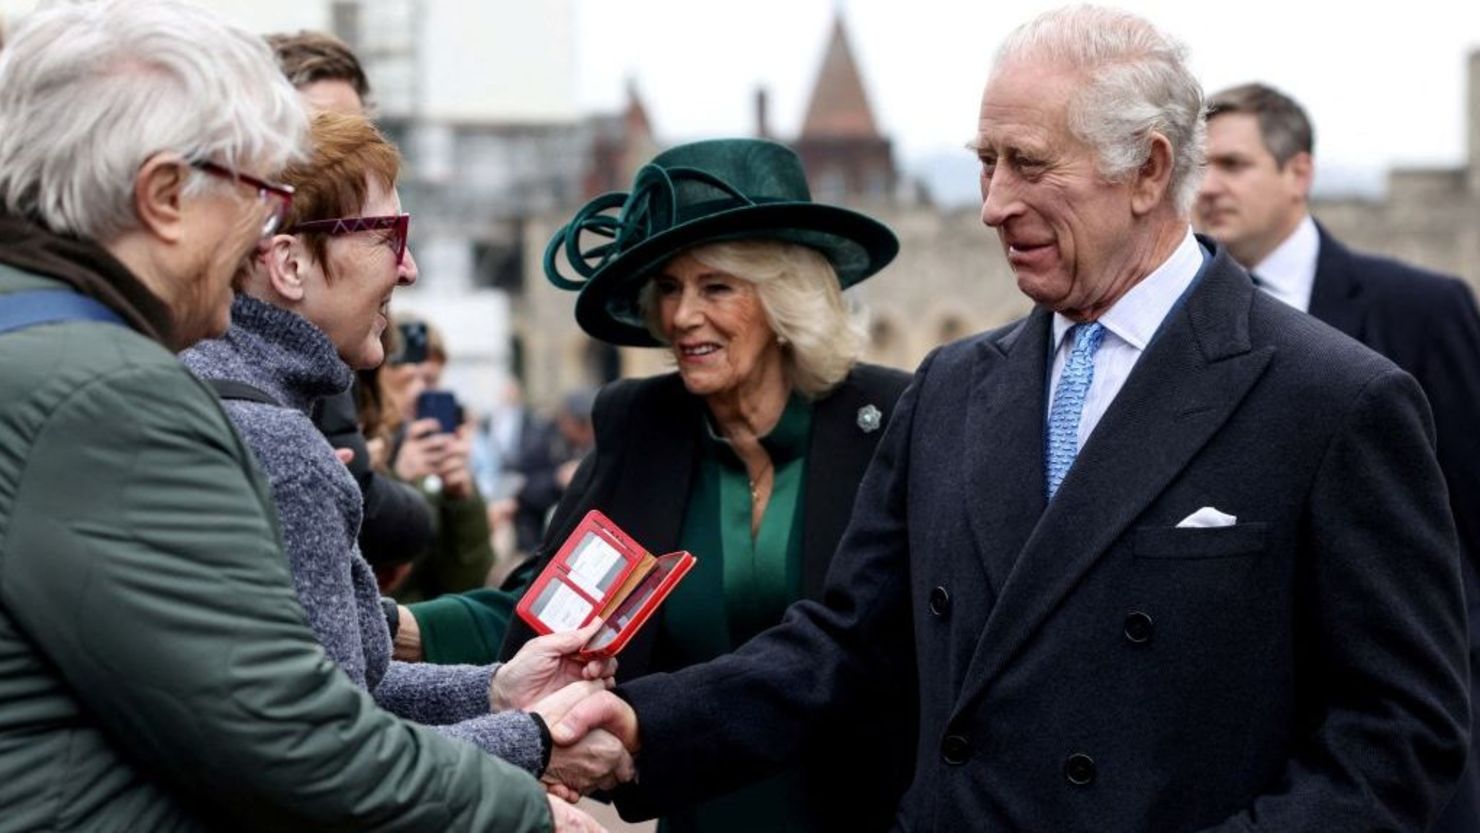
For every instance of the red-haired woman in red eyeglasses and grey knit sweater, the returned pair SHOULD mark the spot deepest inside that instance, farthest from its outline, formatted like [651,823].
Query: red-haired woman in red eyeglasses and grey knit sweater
[310,310]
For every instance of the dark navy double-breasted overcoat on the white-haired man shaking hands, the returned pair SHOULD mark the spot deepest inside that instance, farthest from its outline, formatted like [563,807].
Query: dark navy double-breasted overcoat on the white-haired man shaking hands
[1090,665]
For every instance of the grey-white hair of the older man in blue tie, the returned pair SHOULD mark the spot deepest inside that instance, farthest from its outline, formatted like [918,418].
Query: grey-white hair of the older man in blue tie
[1139,84]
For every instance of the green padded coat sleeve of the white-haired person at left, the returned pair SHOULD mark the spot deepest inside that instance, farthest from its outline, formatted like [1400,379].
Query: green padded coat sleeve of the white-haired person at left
[143,563]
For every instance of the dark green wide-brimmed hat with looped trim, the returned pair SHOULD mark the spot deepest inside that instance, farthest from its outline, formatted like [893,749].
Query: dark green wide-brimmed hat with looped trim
[692,195]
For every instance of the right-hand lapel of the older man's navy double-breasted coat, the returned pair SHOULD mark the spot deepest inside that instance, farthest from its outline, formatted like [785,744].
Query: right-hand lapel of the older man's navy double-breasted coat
[1183,390]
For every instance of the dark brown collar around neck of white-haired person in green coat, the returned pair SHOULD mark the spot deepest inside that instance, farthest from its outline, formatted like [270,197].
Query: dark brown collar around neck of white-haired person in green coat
[90,270]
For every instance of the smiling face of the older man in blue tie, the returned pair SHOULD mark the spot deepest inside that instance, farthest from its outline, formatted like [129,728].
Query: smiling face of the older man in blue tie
[1066,232]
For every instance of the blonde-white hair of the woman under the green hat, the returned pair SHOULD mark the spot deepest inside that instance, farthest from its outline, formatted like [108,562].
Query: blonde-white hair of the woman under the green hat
[803,304]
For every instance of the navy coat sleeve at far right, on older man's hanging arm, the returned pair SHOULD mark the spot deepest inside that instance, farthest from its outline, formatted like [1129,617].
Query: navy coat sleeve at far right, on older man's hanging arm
[1383,609]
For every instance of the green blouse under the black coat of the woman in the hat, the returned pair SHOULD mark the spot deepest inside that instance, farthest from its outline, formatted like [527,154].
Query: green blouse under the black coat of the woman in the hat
[741,587]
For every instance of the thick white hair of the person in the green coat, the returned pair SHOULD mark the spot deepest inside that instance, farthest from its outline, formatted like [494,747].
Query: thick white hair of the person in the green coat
[90,92]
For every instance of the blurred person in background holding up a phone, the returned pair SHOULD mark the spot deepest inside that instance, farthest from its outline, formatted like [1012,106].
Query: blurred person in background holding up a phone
[439,464]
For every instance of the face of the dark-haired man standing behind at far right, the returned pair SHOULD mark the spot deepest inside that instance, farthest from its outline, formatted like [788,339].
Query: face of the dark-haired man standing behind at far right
[1248,202]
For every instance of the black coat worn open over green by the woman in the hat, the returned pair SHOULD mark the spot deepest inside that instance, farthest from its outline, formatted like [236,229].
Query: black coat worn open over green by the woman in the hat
[647,443]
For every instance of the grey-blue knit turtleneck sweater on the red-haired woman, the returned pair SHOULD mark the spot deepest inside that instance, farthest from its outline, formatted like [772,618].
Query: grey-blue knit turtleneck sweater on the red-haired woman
[319,507]
